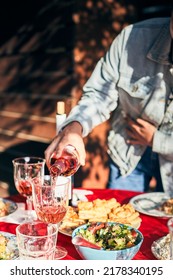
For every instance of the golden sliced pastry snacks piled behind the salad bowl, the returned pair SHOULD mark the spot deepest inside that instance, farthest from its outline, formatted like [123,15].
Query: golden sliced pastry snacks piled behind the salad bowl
[99,210]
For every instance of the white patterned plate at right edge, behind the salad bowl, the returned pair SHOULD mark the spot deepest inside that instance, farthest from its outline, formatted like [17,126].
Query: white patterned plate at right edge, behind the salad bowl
[149,203]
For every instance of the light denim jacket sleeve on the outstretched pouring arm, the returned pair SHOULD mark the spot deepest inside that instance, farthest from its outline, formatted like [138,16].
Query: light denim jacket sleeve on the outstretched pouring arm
[100,95]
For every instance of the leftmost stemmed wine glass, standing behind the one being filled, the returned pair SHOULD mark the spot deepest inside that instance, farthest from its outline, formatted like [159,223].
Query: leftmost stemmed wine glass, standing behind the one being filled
[28,171]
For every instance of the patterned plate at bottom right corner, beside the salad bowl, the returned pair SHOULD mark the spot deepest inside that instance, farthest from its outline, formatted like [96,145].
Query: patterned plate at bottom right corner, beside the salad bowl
[160,248]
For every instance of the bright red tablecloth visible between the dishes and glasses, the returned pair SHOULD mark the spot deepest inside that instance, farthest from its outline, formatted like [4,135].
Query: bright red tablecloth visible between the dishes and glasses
[151,227]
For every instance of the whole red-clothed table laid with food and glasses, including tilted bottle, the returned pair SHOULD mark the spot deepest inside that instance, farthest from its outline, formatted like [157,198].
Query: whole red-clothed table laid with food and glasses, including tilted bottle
[100,224]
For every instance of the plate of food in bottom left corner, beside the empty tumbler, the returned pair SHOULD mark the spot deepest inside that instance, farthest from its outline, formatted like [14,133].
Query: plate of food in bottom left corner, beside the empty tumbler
[11,250]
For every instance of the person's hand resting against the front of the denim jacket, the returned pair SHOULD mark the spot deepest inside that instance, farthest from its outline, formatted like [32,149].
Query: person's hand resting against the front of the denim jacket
[140,132]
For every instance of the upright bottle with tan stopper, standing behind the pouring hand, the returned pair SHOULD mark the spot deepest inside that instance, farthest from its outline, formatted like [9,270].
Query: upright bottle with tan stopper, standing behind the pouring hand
[60,118]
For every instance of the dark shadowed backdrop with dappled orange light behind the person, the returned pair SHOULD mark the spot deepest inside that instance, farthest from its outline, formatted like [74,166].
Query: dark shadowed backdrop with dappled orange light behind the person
[48,49]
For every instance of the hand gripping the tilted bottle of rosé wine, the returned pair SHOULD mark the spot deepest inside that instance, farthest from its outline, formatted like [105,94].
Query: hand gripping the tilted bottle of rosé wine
[71,134]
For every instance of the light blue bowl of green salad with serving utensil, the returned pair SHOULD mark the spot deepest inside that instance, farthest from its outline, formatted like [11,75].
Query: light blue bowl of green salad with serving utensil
[107,241]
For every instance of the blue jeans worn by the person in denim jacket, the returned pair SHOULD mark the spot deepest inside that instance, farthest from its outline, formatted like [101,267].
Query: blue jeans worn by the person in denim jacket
[139,179]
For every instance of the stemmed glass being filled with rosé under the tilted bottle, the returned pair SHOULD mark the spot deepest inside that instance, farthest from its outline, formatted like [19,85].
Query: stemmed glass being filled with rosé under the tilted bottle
[50,203]
